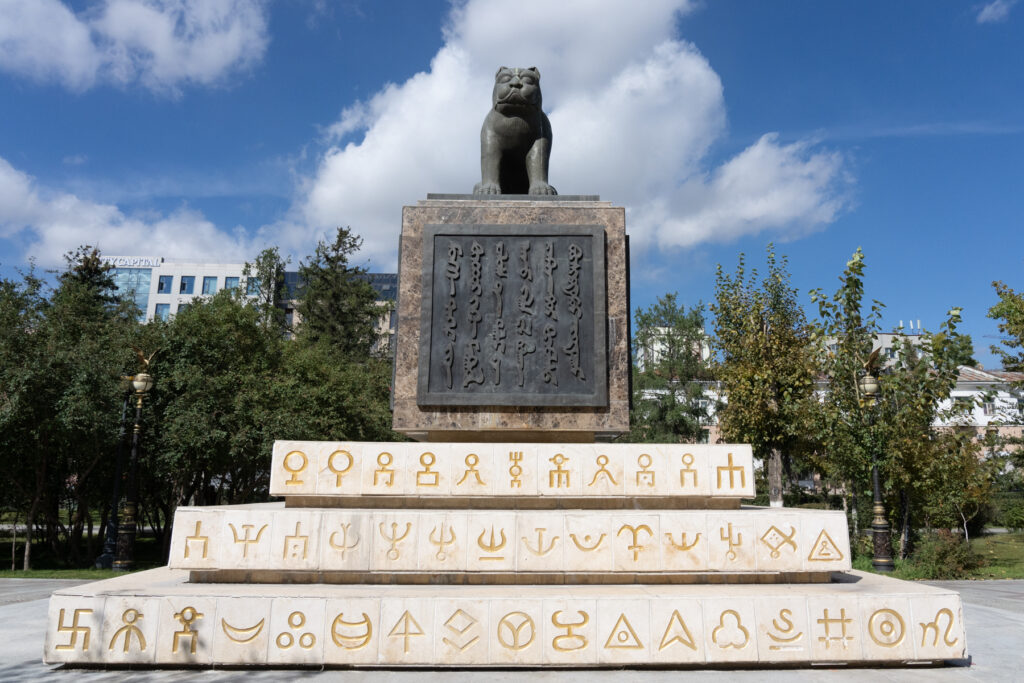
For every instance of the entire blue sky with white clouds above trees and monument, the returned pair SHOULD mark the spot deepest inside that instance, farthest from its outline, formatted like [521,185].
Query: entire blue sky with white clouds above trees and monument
[209,130]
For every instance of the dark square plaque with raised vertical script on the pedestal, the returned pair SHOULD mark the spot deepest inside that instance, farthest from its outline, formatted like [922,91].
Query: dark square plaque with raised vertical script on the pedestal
[514,316]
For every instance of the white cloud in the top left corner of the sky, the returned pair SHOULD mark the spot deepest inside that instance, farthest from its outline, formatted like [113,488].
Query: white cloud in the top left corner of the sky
[161,45]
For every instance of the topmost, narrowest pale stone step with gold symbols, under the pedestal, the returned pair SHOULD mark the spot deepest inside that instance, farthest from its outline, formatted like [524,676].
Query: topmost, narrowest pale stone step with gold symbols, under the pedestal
[358,469]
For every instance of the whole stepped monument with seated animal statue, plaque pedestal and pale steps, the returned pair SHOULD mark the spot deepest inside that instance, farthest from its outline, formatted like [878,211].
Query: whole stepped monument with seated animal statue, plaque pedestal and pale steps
[508,535]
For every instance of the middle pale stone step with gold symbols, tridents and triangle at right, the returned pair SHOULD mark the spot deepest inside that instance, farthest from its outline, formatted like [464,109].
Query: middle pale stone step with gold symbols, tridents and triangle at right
[270,537]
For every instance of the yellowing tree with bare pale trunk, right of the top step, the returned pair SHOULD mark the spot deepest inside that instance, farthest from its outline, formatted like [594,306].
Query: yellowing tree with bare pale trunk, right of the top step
[766,367]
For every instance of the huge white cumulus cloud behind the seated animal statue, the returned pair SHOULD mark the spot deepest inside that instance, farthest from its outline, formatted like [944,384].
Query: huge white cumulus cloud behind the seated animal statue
[635,111]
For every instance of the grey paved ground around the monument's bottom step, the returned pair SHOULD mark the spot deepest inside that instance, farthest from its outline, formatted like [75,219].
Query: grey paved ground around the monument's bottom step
[994,611]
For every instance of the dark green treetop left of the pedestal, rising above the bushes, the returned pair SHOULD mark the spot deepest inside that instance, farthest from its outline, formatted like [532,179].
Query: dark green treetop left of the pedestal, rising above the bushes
[337,305]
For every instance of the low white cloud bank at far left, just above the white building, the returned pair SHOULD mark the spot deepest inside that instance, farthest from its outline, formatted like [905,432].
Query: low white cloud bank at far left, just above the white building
[51,224]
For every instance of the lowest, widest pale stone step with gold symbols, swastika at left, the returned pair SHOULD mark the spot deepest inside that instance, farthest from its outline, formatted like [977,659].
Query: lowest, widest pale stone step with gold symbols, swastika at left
[156,618]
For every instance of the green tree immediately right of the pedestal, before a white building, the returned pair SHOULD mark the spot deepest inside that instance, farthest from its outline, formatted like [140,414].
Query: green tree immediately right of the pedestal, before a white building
[670,373]
